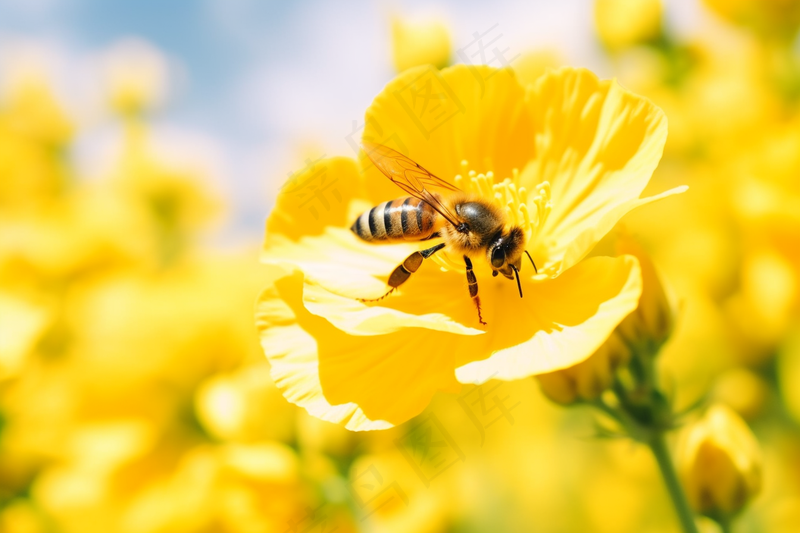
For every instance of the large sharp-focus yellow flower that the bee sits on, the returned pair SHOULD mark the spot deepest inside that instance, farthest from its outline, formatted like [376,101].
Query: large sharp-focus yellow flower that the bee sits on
[586,149]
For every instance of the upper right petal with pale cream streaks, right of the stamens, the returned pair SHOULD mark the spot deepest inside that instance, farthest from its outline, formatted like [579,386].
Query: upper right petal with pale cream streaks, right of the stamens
[598,145]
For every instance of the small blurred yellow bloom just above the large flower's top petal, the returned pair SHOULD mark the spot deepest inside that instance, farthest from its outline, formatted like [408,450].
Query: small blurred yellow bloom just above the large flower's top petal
[420,42]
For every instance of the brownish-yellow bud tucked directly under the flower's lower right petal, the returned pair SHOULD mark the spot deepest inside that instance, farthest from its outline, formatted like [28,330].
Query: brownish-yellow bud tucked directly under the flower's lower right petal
[588,379]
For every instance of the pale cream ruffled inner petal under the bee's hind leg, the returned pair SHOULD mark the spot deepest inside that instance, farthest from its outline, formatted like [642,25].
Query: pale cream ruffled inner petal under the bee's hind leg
[339,268]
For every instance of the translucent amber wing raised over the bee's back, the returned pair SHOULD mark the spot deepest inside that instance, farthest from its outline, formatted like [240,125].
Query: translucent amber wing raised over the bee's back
[410,176]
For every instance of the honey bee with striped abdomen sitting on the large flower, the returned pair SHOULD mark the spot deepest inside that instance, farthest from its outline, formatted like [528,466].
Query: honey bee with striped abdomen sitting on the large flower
[467,224]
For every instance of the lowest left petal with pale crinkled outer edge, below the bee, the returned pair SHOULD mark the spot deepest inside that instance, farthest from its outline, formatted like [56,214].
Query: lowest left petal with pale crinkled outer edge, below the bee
[360,382]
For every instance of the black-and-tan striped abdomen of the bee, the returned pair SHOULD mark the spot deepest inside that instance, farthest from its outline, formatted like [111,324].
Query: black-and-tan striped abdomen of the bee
[404,219]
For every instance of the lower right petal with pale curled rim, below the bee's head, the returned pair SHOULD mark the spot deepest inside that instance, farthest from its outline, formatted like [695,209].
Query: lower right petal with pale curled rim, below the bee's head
[559,323]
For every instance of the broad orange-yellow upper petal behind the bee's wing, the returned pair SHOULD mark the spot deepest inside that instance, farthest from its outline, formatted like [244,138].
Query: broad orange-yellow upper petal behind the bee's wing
[439,118]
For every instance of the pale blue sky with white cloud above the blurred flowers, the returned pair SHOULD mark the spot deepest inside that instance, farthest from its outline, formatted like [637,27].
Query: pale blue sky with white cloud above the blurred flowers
[262,84]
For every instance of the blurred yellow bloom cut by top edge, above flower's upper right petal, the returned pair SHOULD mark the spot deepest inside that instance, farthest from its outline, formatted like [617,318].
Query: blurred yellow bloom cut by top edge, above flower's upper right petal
[625,23]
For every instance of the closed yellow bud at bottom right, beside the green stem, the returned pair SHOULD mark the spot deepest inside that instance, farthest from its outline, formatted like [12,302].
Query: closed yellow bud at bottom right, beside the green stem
[720,463]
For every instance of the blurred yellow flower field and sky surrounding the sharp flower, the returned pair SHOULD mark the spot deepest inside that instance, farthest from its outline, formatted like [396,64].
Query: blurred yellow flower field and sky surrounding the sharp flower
[141,147]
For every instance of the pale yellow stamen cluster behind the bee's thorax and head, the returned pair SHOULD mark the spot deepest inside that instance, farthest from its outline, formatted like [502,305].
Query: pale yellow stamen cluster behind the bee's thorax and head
[528,210]
